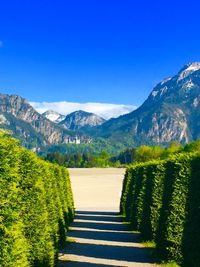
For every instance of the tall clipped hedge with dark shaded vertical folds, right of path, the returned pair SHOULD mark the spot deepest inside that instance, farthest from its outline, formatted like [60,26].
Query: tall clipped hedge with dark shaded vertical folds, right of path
[162,200]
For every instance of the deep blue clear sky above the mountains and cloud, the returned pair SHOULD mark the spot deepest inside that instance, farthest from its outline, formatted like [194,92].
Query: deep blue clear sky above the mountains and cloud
[94,51]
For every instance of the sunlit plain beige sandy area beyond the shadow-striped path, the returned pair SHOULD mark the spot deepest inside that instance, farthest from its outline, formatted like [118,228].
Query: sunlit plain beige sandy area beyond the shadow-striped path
[97,189]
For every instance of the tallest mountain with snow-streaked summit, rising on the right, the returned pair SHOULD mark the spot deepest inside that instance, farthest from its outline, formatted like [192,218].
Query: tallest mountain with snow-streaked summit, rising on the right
[171,112]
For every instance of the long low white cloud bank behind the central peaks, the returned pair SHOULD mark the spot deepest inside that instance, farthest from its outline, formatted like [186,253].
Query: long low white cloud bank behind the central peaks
[104,110]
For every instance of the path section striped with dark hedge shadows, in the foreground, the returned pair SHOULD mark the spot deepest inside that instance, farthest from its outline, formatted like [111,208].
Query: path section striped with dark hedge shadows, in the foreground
[102,239]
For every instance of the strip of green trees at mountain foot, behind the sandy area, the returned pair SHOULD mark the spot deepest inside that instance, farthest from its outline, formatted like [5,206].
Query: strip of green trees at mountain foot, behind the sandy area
[143,153]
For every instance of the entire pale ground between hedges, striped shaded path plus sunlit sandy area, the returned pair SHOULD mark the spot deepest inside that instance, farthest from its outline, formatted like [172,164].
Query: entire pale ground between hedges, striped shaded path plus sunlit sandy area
[98,237]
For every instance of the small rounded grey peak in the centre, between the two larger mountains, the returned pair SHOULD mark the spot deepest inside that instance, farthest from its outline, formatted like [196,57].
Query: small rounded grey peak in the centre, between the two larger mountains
[81,119]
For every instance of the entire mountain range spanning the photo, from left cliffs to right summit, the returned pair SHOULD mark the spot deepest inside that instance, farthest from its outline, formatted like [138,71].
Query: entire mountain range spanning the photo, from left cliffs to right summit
[171,112]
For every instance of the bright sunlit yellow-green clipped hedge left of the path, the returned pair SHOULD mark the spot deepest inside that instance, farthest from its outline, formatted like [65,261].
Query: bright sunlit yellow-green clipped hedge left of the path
[36,207]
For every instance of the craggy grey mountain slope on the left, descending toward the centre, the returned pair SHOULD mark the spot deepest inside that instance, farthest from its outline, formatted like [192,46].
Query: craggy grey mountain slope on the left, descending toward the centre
[17,115]
